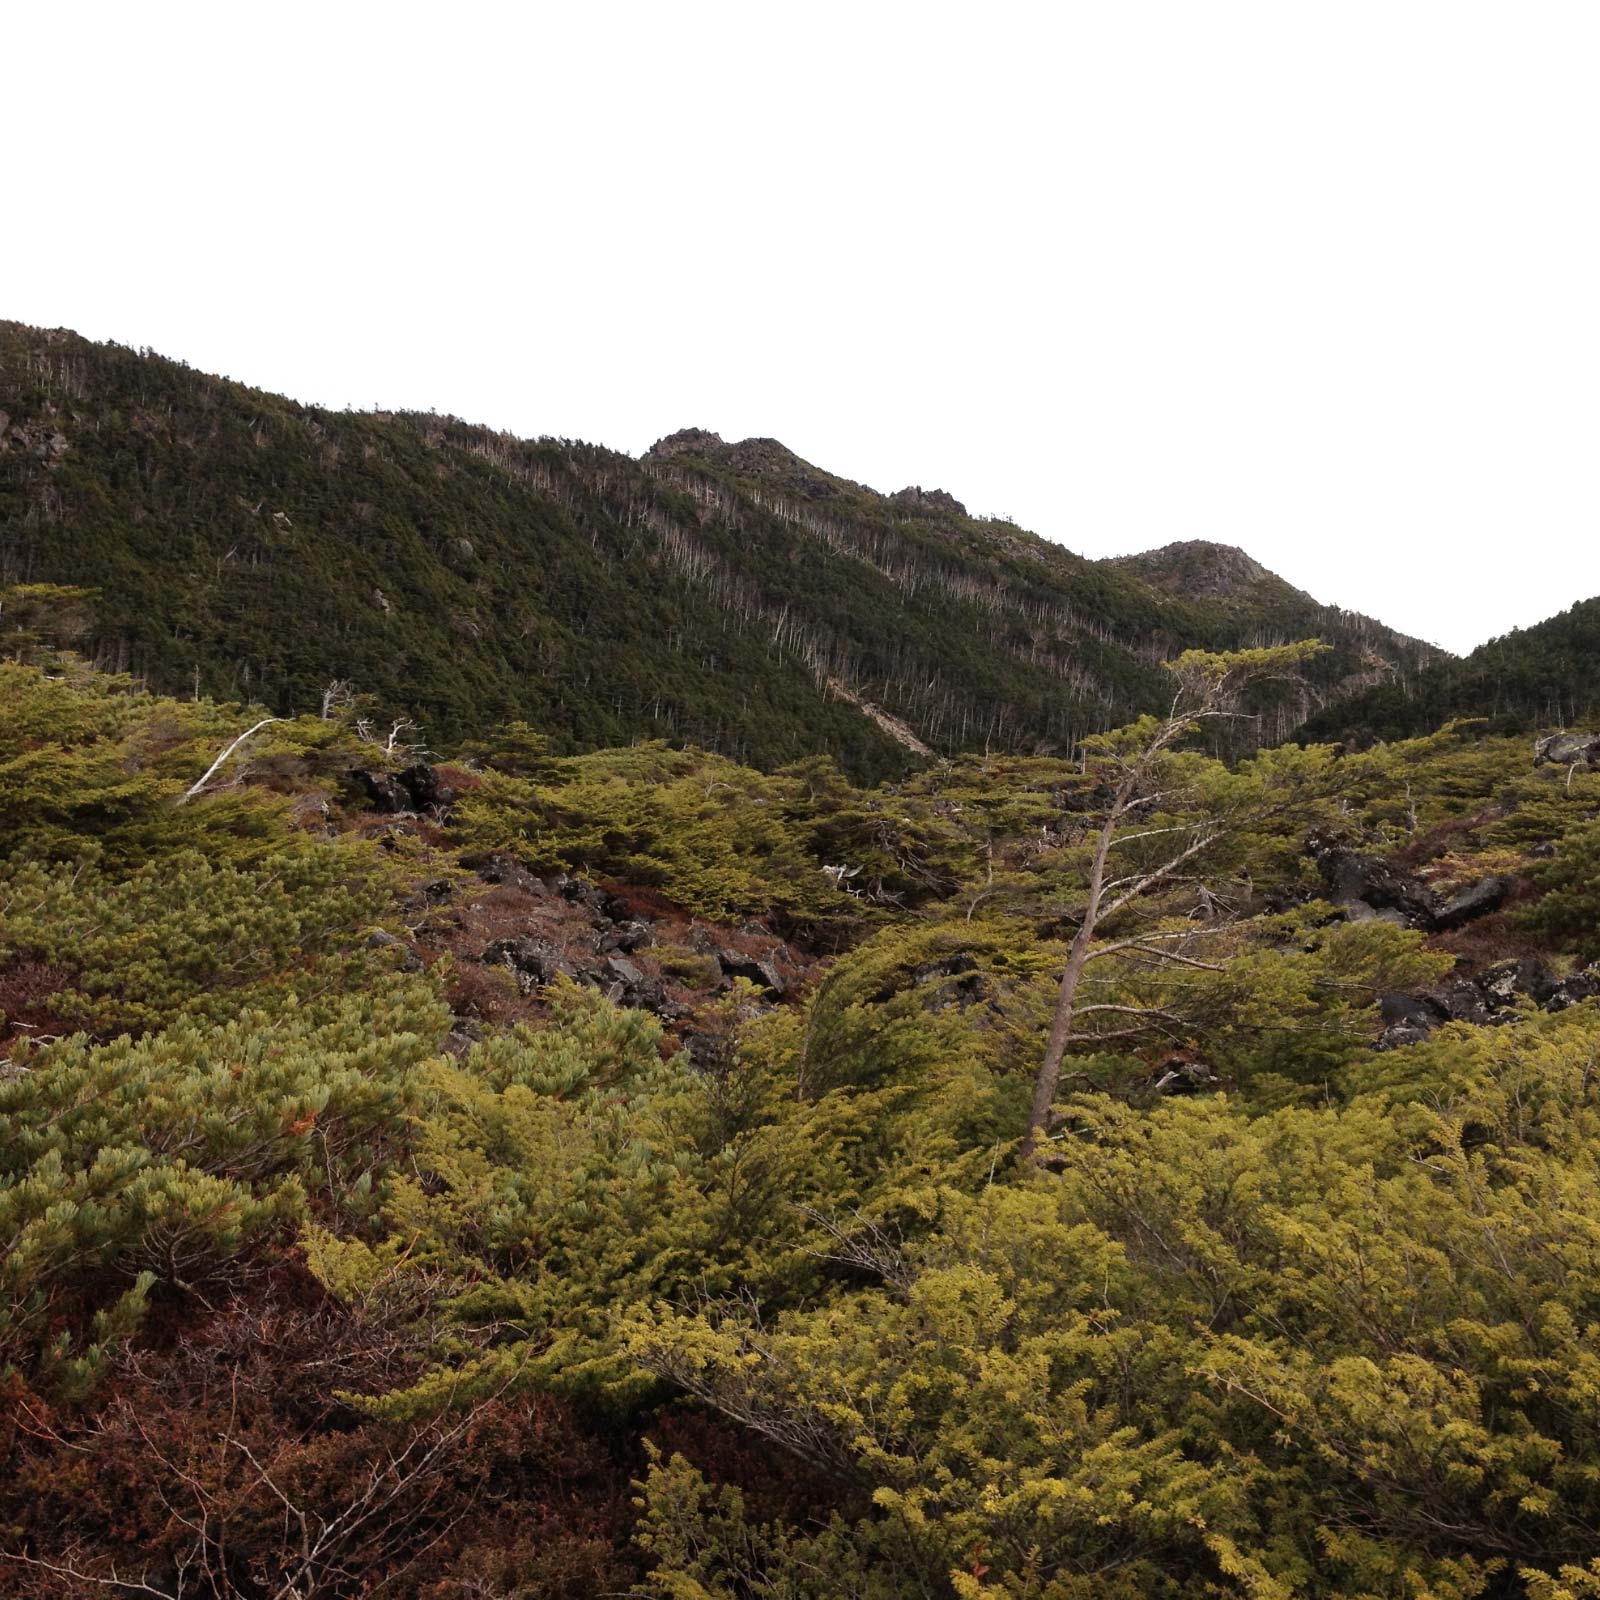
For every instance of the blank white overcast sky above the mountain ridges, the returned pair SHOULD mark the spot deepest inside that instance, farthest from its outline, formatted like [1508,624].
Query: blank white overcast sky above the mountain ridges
[1321,281]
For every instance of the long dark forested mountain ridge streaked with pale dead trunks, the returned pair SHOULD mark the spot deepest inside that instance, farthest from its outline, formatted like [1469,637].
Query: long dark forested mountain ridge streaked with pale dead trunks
[726,596]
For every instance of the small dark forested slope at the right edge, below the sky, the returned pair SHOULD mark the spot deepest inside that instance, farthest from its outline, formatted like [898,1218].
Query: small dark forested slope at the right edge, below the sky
[1534,678]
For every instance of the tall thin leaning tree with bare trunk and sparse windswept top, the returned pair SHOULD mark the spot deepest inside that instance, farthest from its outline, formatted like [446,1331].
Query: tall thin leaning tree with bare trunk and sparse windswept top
[1209,686]
